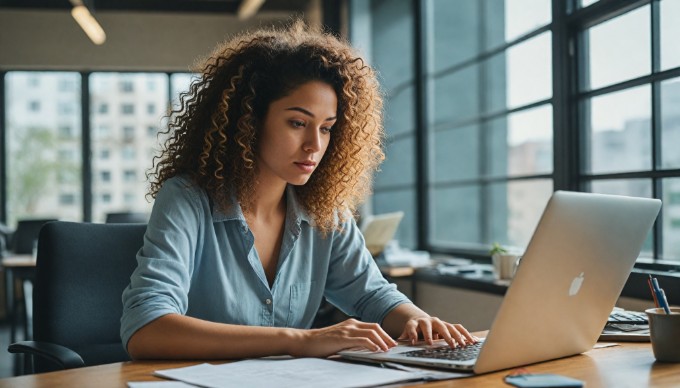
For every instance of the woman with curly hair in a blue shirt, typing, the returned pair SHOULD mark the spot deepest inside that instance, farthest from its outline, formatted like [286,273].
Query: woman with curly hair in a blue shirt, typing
[268,158]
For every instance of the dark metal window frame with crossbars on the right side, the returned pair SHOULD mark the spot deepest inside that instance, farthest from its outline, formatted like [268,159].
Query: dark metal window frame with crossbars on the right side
[569,54]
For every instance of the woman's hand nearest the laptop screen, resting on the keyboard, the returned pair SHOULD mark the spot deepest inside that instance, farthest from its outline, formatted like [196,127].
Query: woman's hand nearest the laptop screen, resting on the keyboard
[432,328]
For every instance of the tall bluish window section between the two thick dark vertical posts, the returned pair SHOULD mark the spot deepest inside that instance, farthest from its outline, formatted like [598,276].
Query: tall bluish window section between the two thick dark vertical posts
[490,127]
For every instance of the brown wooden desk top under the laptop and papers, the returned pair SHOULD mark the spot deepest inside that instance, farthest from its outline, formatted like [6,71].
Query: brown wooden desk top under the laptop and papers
[628,365]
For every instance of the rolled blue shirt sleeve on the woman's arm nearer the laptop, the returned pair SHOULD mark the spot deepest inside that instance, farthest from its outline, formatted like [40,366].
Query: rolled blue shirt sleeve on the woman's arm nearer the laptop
[355,284]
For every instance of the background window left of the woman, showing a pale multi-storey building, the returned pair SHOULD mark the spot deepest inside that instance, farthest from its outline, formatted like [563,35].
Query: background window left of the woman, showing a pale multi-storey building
[44,151]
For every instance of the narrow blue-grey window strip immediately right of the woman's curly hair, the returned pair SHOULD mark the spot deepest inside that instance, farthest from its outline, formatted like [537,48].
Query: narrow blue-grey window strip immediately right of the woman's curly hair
[390,36]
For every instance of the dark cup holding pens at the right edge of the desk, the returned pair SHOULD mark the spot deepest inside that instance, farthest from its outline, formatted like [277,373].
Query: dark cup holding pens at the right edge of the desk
[664,333]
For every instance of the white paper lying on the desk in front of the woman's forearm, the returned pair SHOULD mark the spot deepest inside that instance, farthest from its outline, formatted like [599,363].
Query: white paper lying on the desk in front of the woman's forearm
[299,372]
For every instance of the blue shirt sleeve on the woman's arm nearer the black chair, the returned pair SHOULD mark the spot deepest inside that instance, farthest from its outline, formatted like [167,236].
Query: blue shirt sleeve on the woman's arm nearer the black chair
[160,283]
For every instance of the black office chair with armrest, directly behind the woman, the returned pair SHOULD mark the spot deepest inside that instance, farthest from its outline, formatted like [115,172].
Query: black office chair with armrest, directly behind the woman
[81,272]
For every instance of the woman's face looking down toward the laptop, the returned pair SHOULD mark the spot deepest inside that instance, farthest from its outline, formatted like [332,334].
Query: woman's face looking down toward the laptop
[295,133]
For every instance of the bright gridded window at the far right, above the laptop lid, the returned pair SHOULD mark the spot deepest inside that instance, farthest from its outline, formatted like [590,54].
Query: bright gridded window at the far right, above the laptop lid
[629,95]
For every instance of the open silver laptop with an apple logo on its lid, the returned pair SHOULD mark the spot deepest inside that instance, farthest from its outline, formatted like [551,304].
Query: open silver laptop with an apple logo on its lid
[570,277]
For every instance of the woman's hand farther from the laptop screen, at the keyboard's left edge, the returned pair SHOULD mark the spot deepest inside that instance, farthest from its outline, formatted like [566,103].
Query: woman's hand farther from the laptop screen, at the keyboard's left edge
[344,335]
